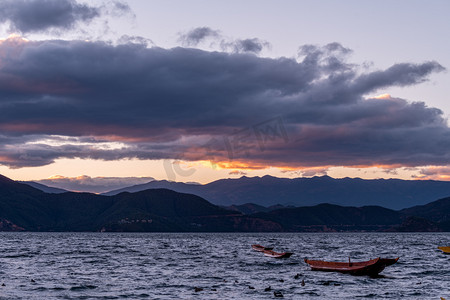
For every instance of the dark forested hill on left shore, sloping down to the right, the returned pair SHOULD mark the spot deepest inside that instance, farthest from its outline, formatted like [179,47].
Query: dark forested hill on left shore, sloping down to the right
[23,207]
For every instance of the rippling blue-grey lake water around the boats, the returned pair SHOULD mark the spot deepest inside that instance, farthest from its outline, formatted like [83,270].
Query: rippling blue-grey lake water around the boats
[171,266]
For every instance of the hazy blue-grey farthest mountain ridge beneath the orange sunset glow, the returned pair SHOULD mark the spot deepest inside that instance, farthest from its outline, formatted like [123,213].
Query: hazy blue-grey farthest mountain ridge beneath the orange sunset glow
[267,191]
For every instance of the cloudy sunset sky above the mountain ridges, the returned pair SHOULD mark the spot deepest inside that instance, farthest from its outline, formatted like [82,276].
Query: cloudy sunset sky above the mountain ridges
[195,91]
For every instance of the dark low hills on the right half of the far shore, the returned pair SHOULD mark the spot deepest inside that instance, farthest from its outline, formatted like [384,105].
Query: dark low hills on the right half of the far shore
[434,216]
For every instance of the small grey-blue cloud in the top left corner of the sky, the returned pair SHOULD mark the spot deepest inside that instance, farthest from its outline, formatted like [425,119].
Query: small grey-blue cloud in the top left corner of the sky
[28,16]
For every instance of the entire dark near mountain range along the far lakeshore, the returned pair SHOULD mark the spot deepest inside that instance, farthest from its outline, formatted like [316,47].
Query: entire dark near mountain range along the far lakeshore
[23,207]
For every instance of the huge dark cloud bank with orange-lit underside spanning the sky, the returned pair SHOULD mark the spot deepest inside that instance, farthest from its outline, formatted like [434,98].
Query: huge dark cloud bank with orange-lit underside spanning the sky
[184,103]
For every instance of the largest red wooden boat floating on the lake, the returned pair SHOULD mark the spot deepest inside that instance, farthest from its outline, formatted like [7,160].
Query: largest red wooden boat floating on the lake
[370,267]
